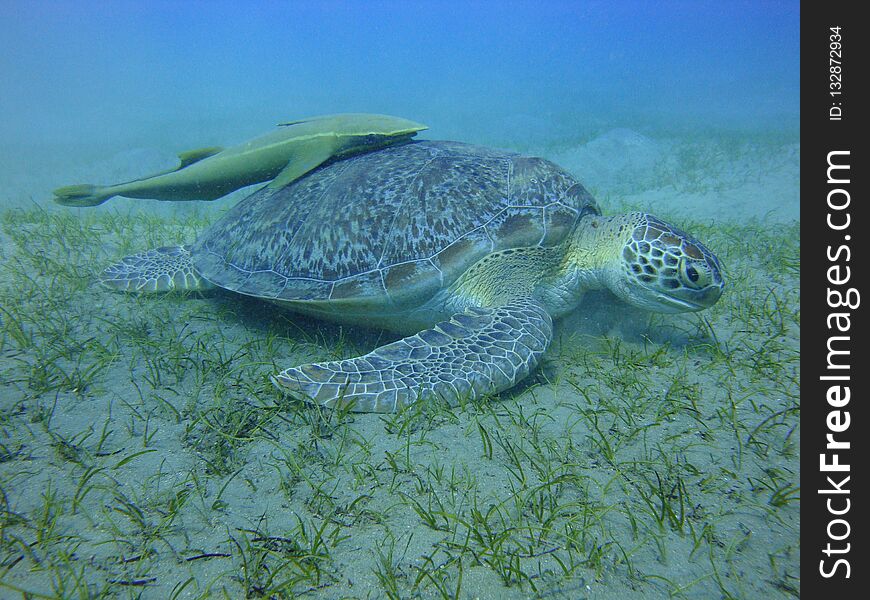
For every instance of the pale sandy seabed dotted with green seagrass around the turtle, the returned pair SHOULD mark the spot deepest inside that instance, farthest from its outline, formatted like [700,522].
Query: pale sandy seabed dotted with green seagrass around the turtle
[144,453]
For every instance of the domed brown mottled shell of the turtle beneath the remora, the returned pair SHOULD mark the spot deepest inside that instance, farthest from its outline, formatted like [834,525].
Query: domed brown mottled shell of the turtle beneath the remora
[391,227]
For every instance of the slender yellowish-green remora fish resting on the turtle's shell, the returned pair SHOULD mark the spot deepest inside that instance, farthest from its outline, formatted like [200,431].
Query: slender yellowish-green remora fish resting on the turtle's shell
[282,156]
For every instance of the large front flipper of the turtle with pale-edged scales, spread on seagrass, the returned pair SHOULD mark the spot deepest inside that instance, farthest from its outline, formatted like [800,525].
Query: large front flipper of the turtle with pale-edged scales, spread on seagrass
[481,351]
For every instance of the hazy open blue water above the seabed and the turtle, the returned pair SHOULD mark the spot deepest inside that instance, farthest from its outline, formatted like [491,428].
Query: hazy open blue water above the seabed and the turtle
[124,73]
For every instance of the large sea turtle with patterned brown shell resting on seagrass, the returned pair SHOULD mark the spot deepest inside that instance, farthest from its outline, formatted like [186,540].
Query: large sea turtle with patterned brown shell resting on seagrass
[471,251]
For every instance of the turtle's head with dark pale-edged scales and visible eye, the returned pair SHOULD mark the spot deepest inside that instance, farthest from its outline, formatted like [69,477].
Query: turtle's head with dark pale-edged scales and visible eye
[661,268]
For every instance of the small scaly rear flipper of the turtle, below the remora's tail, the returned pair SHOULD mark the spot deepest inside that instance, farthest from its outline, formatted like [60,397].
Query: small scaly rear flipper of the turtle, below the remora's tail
[165,269]
